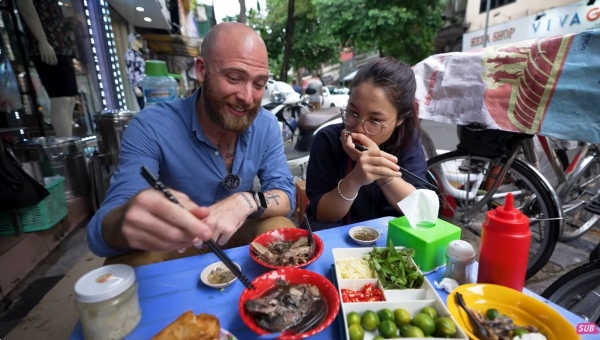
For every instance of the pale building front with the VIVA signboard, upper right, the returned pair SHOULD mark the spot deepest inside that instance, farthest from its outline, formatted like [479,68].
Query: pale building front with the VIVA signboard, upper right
[518,20]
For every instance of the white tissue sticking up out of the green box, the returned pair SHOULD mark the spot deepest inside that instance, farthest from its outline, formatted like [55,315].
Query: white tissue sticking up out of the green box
[420,208]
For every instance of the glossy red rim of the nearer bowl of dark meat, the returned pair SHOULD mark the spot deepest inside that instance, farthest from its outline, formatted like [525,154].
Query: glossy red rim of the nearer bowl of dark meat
[266,282]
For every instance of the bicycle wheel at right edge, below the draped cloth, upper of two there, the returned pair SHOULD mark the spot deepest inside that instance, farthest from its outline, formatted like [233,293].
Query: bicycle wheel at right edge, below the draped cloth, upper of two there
[580,204]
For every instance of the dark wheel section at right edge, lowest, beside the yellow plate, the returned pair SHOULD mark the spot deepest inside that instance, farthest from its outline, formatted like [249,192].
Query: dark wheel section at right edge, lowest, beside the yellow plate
[578,291]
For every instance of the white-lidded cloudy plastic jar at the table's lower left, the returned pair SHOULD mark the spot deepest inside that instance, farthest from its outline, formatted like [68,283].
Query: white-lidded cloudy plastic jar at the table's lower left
[107,301]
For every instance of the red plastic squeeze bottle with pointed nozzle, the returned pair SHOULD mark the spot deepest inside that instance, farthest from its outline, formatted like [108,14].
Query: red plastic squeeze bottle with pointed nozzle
[504,248]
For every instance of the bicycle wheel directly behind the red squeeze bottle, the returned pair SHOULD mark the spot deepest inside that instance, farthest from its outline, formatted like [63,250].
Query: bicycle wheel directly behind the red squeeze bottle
[461,181]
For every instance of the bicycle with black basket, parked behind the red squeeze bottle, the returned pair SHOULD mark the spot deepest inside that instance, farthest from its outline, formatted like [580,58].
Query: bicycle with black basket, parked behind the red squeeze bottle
[476,178]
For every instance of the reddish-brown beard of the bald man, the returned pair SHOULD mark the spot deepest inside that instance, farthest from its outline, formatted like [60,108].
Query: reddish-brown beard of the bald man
[216,111]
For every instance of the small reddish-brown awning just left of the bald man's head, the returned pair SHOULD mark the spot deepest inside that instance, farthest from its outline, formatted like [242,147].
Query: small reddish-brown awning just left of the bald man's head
[173,45]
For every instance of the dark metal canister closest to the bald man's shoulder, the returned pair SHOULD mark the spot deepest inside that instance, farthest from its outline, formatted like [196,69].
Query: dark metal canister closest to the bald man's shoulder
[110,126]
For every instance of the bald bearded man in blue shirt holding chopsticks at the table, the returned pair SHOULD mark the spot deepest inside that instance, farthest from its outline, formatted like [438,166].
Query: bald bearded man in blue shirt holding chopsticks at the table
[207,149]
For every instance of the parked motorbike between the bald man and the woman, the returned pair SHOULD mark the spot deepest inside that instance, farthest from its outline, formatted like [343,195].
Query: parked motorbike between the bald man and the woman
[296,121]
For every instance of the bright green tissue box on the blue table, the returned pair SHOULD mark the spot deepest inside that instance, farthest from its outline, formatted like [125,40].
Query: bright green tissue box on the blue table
[429,243]
